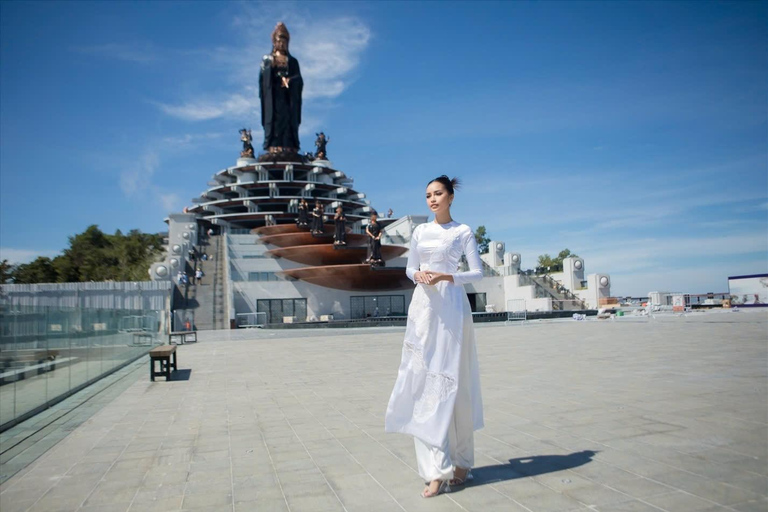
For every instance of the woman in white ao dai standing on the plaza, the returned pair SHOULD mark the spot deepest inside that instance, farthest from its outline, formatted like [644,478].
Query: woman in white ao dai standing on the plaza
[436,397]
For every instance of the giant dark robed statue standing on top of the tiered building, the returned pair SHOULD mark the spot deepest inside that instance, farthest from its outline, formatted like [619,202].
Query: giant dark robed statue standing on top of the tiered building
[280,87]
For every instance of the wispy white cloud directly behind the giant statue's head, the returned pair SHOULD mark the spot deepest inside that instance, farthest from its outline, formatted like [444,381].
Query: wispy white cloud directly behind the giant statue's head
[328,50]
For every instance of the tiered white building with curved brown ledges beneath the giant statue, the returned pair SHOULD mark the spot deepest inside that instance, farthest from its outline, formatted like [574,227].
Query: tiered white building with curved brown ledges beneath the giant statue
[265,268]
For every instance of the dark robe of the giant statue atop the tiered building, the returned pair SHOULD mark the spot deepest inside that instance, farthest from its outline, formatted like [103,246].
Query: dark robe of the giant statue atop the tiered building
[280,107]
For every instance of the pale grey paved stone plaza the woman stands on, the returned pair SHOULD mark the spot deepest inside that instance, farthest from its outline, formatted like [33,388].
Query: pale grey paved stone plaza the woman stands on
[635,415]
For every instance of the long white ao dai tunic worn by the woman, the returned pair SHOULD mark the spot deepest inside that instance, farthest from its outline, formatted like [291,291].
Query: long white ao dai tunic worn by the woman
[439,328]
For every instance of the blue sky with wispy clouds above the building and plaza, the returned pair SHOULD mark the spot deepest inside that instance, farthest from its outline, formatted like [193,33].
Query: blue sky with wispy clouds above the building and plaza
[633,133]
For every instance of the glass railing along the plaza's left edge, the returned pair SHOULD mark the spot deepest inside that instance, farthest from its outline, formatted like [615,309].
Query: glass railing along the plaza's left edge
[47,353]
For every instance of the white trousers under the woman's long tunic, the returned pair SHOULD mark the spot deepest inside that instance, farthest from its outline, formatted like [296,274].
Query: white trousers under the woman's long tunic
[438,462]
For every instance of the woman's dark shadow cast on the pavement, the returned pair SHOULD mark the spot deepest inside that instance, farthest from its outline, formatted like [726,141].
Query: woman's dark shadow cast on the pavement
[529,466]
